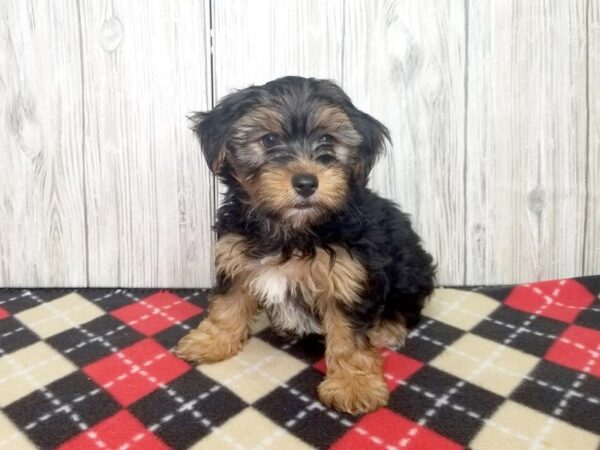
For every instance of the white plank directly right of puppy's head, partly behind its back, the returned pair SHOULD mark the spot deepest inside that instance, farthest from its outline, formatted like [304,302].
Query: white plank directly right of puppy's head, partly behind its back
[404,64]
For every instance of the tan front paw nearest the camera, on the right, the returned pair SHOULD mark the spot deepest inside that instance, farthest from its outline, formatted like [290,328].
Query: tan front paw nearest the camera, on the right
[354,393]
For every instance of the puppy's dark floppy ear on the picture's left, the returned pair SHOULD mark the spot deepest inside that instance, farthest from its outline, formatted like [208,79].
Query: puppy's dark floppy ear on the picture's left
[213,128]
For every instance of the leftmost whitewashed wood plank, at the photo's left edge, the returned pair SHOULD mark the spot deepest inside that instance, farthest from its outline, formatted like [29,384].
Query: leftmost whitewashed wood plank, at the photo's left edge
[42,221]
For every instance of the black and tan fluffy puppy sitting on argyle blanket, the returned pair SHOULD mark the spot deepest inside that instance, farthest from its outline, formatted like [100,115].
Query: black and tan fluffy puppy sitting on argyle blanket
[301,236]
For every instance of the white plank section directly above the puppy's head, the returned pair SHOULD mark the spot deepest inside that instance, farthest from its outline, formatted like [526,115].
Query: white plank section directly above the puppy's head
[259,40]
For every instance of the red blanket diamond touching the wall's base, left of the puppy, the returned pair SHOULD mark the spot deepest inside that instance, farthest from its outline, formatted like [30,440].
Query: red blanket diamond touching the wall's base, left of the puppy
[156,313]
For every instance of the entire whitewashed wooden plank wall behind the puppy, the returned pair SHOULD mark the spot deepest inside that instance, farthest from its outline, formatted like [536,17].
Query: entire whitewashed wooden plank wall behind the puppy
[493,111]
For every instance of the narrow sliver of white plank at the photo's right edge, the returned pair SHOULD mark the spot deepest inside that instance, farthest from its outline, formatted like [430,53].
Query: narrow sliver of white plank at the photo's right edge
[591,263]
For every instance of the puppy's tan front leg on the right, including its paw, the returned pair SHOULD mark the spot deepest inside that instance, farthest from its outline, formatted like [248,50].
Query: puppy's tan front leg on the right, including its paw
[354,381]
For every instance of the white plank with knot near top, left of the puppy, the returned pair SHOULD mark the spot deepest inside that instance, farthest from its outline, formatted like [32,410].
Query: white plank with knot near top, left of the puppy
[147,188]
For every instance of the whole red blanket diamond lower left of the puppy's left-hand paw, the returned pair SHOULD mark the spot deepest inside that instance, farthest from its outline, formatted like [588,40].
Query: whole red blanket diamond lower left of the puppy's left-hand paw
[136,371]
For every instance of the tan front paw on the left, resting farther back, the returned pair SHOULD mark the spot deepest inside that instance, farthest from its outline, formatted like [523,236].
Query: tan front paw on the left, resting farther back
[208,343]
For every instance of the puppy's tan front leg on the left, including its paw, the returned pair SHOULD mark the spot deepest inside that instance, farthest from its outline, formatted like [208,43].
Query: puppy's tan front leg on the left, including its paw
[222,333]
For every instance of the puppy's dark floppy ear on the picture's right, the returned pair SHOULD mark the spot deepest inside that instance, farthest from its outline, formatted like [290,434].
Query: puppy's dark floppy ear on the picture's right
[375,137]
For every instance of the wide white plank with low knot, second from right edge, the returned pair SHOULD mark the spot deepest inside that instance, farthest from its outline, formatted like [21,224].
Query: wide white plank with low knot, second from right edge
[526,140]
